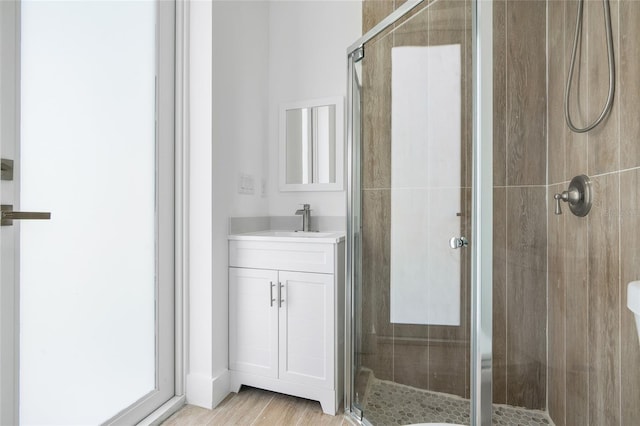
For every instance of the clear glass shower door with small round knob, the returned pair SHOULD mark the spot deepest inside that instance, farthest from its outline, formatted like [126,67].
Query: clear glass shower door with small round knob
[411,218]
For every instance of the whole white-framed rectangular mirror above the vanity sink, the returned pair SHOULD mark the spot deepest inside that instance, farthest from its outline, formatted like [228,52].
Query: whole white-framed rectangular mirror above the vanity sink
[311,145]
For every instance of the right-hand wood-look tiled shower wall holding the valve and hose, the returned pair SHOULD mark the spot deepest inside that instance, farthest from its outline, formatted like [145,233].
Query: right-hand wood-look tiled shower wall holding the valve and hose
[594,353]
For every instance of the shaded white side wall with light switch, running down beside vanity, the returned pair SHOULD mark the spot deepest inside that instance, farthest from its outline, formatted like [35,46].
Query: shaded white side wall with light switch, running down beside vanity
[240,61]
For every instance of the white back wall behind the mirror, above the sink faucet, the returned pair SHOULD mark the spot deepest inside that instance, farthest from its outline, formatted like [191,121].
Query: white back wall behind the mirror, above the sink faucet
[308,43]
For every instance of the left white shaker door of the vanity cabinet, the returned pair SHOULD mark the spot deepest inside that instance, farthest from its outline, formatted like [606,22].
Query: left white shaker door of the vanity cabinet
[253,321]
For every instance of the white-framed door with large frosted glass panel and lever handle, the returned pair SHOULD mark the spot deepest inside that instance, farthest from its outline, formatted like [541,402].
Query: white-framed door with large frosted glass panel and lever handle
[86,110]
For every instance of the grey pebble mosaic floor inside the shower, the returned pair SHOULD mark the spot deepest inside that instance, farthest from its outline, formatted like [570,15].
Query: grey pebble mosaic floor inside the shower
[388,403]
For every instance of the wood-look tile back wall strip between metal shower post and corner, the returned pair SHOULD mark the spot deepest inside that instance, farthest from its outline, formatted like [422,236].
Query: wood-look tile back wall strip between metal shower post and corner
[520,222]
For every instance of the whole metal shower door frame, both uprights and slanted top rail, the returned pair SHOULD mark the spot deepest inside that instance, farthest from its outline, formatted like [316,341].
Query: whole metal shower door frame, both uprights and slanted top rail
[482,209]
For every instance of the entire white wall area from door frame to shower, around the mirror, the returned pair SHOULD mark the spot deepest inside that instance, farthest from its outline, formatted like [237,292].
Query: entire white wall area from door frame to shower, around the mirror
[246,58]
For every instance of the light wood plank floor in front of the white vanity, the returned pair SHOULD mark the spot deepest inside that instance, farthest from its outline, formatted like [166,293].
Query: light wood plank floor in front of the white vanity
[258,407]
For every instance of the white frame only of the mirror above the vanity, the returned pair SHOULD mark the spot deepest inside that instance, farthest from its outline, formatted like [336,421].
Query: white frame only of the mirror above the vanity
[338,185]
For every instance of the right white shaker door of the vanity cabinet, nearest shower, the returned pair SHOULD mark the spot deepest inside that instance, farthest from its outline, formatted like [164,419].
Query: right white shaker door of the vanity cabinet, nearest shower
[307,328]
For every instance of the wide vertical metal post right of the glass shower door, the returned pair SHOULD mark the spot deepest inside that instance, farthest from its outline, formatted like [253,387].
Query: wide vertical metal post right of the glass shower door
[482,215]
